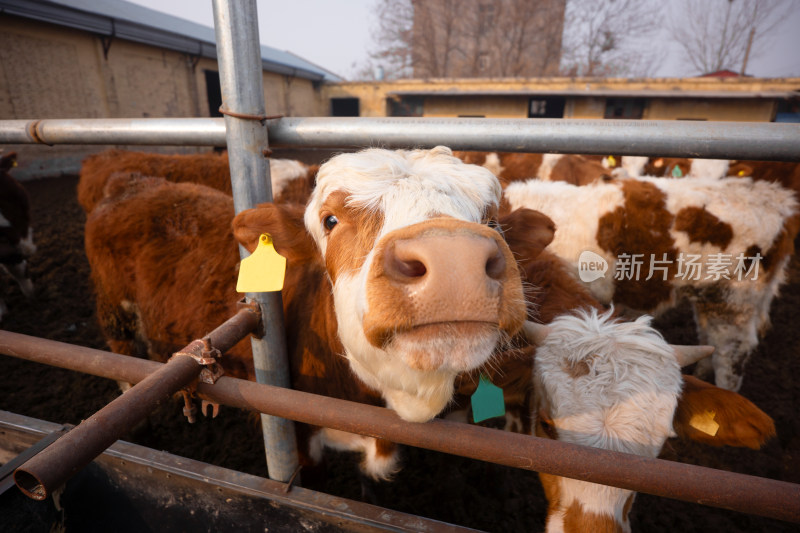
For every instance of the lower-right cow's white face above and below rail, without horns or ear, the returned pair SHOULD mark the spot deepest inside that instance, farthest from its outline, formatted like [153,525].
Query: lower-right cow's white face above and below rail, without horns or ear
[607,384]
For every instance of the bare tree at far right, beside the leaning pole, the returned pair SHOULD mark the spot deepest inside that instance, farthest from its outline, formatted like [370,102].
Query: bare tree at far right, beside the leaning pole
[724,34]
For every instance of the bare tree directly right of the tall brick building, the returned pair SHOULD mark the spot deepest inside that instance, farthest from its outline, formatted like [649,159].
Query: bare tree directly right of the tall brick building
[605,38]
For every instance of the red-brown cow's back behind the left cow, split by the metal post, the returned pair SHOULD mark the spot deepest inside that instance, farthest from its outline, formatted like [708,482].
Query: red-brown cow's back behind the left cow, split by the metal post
[291,180]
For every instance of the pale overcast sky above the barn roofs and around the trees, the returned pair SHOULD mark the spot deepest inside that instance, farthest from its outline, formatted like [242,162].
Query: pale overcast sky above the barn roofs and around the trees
[335,34]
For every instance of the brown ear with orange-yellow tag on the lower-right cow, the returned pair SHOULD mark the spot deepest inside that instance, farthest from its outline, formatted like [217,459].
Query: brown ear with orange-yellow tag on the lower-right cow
[720,417]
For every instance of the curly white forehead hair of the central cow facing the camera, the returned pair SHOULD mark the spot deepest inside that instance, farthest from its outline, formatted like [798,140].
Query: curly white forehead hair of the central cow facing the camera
[406,186]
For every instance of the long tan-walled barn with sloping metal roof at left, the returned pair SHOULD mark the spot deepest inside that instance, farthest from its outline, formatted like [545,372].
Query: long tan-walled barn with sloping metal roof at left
[115,59]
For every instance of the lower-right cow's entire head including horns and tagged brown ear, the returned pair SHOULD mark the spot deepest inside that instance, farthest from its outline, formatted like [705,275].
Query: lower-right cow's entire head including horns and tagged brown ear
[617,385]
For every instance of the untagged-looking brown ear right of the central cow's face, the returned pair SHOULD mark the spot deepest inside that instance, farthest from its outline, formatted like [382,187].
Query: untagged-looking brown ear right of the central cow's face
[527,233]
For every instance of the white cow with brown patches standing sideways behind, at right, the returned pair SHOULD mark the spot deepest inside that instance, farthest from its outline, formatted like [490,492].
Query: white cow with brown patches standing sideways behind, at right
[721,244]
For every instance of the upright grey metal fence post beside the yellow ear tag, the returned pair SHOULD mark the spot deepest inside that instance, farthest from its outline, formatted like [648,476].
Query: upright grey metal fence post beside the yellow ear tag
[241,80]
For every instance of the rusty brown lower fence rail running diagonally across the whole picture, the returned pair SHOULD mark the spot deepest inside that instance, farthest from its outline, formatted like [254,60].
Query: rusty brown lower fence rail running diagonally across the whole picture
[738,492]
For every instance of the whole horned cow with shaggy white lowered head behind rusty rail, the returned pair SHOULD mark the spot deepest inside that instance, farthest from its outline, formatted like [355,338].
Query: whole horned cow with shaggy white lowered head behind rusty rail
[600,381]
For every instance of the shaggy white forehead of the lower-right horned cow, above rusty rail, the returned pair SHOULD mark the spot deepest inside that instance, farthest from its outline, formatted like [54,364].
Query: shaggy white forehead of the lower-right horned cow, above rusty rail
[609,384]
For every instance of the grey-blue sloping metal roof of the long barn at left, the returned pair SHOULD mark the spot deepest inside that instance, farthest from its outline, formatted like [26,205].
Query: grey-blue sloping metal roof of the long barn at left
[132,22]
